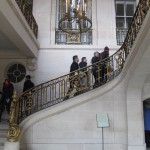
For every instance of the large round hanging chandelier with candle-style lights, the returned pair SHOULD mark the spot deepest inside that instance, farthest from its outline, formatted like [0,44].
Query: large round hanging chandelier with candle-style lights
[75,20]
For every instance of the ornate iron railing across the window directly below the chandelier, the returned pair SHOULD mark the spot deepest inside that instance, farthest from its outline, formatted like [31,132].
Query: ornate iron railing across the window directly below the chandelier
[63,38]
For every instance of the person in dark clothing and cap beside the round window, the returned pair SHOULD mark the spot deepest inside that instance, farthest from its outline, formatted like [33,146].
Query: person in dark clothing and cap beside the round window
[28,84]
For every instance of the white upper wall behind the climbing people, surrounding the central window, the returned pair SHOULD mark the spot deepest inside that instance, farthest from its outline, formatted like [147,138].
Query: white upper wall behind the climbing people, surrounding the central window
[54,60]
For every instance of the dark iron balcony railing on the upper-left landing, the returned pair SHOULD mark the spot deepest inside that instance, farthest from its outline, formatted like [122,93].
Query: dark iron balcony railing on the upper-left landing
[26,11]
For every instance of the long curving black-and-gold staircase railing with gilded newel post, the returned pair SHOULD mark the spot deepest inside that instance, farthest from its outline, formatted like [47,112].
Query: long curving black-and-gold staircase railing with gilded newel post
[58,90]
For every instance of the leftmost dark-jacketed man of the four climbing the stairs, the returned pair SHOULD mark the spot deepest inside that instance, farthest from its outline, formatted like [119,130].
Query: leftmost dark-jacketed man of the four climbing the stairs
[74,66]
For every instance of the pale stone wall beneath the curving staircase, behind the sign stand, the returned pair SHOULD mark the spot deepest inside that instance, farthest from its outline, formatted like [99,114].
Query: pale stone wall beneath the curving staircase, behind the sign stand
[75,127]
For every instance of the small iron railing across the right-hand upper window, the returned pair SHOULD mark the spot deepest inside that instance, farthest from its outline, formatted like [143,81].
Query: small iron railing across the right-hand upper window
[121,35]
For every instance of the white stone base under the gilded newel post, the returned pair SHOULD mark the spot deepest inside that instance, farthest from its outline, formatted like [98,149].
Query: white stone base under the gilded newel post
[12,146]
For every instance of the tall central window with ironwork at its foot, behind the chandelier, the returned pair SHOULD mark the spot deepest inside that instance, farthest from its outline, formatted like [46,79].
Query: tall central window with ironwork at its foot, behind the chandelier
[71,23]
